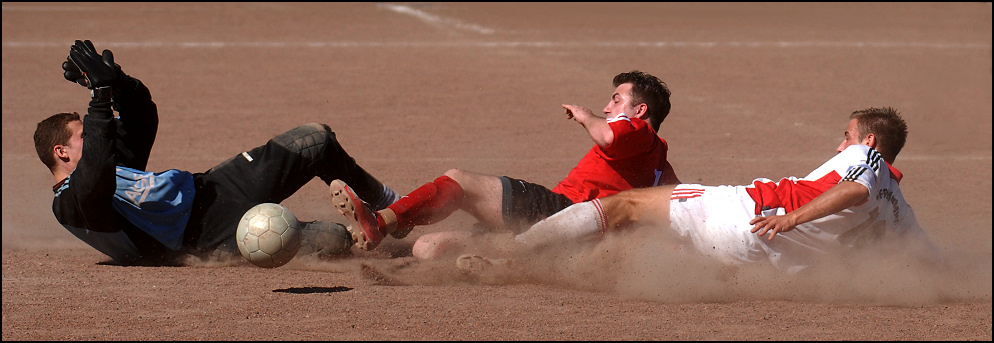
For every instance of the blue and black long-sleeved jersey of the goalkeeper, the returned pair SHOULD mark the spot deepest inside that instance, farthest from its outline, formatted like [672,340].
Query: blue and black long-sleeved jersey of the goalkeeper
[108,201]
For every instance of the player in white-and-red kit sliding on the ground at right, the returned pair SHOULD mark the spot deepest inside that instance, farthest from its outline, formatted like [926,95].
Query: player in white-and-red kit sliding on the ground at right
[850,202]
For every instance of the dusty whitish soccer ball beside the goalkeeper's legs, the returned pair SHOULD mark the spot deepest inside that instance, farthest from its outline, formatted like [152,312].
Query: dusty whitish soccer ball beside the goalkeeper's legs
[268,235]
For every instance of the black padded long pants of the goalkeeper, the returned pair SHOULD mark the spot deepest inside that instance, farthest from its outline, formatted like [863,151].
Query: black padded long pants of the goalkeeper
[270,173]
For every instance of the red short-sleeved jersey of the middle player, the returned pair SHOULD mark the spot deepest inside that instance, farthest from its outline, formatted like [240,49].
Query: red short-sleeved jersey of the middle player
[635,159]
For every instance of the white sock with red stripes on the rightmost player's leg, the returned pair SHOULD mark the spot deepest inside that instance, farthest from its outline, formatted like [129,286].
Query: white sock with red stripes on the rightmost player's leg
[577,221]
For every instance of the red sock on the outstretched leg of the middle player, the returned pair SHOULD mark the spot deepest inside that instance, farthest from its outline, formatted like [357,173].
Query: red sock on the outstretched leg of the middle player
[428,204]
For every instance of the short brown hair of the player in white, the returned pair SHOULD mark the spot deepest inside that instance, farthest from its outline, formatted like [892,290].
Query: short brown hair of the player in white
[887,125]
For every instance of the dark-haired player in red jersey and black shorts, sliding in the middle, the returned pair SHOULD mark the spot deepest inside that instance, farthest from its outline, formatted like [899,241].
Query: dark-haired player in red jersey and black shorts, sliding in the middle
[628,154]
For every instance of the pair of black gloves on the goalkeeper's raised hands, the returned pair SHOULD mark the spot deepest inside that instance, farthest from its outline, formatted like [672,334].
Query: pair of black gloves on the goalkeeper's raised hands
[97,70]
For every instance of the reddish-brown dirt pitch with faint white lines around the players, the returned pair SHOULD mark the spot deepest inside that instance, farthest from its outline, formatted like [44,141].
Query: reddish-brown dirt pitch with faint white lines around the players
[414,89]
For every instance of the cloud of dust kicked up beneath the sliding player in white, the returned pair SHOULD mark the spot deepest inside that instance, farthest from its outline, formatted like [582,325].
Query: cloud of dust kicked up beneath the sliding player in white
[646,264]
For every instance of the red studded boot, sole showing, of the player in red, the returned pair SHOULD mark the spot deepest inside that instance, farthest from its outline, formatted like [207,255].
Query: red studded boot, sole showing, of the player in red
[362,221]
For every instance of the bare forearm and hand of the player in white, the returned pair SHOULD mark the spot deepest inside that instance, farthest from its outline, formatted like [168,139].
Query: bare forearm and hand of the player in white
[841,196]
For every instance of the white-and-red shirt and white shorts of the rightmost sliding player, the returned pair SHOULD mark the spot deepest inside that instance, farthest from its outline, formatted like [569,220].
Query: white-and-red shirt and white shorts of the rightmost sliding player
[717,218]
